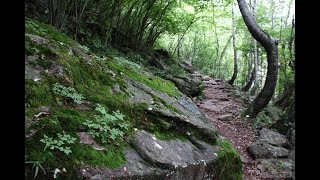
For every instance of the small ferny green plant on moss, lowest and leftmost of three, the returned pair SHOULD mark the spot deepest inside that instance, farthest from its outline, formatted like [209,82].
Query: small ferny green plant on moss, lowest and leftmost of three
[59,143]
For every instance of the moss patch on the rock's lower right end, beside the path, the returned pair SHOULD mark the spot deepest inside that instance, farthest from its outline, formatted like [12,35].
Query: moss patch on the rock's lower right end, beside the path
[229,165]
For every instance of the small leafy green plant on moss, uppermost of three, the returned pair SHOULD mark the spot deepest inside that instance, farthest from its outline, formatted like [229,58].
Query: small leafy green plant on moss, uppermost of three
[68,92]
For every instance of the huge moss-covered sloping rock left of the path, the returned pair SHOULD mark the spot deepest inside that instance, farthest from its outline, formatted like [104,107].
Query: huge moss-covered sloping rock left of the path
[101,116]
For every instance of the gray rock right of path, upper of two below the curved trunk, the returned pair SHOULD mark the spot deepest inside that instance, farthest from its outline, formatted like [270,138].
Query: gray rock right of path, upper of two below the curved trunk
[273,137]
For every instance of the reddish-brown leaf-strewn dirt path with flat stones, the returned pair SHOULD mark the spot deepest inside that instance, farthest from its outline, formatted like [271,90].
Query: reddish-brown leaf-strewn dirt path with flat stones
[220,99]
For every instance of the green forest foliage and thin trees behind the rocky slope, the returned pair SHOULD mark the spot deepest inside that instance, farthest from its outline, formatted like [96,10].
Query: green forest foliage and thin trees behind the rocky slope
[199,32]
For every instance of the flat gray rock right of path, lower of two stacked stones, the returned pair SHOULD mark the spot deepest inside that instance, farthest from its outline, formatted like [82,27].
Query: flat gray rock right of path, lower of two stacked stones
[265,150]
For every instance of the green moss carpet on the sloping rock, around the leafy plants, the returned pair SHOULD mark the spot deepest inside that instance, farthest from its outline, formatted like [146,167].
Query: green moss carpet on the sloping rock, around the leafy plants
[95,83]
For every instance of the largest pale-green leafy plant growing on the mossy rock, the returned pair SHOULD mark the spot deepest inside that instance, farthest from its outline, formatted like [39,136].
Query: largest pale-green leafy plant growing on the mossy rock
[107,126]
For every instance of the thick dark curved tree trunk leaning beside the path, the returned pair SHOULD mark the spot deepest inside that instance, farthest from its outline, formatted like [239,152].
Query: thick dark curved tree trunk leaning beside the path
[271,47]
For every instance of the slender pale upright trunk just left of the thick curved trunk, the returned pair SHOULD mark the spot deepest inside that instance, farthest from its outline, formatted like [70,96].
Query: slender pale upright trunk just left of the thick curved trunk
[235,64]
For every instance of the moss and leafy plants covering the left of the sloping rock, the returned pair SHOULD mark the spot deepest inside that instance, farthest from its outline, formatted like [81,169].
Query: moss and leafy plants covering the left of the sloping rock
[71,82]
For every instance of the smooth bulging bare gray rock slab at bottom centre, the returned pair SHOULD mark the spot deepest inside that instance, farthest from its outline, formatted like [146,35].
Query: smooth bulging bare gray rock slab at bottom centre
[171,154]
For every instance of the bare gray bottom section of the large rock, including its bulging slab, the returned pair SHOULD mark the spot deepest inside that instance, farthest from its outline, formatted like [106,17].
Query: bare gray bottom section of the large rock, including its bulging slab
[152,158]
